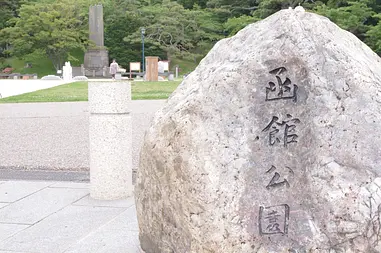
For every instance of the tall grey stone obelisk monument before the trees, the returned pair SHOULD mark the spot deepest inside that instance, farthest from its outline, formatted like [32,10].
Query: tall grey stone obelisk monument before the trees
[96,57]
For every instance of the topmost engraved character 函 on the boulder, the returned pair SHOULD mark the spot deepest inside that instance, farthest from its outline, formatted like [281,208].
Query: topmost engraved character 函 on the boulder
[281,88]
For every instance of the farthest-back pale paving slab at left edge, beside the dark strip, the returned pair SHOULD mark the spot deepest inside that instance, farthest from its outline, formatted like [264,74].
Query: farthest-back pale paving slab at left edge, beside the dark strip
[11,191]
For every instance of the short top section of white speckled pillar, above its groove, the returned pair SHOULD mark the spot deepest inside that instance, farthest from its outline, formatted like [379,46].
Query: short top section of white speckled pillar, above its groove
[109,97]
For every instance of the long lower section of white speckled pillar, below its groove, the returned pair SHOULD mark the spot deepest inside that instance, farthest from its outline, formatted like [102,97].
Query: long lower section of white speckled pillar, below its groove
[110,156]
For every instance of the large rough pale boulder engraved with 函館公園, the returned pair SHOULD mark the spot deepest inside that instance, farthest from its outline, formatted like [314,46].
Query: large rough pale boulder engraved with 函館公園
[273,144]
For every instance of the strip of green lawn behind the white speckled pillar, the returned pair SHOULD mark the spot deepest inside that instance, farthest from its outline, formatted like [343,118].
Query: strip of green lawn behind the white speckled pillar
[78,92]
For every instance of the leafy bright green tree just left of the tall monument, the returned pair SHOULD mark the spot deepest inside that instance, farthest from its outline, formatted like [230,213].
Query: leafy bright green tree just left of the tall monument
[60,28]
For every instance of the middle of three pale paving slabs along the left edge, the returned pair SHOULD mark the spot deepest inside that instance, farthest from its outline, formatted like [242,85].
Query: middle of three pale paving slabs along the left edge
[39,205]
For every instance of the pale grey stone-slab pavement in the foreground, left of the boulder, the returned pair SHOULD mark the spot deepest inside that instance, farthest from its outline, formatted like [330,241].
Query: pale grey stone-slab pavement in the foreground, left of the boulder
[60,217]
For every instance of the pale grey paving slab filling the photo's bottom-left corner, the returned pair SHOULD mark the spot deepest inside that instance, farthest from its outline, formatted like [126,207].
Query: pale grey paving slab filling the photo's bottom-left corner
[62,230]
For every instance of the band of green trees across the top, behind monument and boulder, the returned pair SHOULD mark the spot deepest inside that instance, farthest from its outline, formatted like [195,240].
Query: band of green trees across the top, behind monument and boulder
[181,31]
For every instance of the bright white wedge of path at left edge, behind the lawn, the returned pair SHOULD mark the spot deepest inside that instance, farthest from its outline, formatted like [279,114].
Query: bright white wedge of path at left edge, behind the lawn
[10,87]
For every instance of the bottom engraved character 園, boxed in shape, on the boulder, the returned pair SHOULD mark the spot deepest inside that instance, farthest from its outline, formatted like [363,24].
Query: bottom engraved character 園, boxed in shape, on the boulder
[274,220]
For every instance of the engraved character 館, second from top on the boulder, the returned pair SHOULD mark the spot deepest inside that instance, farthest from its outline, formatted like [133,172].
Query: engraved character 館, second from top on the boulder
[282,132]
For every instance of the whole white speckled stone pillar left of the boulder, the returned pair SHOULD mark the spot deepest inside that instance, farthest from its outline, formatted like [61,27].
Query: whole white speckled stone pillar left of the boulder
[110,134]
